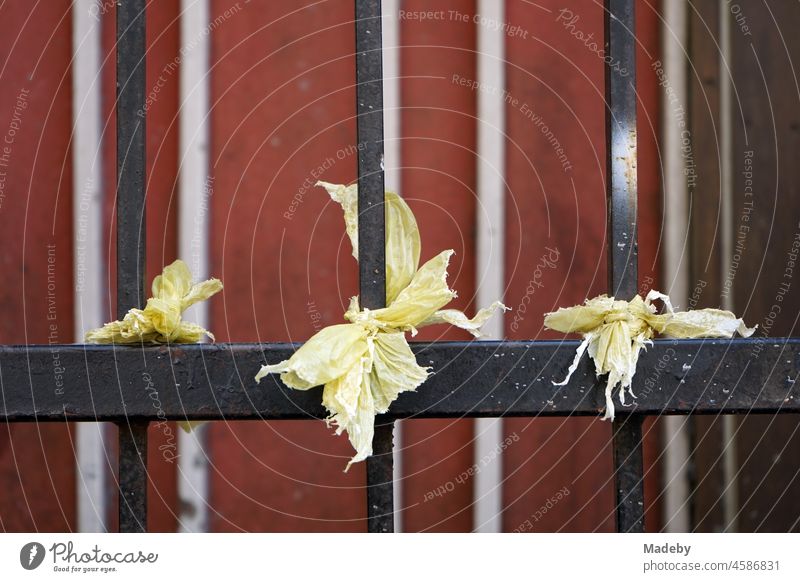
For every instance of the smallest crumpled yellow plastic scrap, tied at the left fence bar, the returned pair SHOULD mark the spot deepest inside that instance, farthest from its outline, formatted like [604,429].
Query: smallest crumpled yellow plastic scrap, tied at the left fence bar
[161,320]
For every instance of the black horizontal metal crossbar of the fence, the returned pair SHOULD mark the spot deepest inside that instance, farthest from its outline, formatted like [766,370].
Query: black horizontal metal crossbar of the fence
[474,379]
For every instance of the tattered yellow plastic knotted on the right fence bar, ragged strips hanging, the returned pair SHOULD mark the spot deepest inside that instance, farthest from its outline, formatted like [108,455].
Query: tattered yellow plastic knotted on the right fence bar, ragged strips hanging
[614,332]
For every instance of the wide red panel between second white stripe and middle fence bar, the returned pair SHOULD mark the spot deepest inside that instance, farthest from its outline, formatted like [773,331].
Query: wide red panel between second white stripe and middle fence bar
[283,117]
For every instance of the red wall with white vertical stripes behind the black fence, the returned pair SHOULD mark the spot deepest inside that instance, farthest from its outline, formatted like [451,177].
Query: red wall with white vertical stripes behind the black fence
[280,114]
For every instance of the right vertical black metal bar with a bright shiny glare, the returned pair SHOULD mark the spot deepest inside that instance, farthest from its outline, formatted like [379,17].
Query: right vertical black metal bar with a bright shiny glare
[620,76]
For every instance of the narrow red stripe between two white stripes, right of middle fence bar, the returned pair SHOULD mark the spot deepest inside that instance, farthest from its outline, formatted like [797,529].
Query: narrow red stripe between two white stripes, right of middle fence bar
[438,180]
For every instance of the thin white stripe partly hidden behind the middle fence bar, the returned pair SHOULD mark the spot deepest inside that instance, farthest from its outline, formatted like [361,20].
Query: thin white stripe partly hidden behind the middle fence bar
[392,169]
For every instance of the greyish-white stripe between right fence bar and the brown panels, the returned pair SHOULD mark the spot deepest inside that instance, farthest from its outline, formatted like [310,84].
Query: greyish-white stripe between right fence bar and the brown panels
[675,433]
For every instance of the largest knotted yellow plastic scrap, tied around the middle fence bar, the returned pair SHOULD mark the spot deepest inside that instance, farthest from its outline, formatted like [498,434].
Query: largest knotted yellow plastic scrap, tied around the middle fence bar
[364,365]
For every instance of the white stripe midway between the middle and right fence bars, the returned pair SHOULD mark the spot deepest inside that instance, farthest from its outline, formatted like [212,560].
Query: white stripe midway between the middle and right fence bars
[487,510]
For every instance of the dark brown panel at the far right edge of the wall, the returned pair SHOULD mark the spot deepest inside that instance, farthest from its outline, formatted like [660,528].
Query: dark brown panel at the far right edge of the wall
[762,272]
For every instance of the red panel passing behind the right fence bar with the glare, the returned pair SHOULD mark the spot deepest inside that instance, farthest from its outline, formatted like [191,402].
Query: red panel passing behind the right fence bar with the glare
[556,241]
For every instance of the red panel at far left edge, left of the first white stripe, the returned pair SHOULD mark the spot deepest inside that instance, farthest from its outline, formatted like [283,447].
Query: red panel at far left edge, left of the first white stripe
[36,461]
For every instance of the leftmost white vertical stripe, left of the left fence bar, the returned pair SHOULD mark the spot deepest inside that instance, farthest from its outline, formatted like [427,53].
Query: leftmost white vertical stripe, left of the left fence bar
[87,219]
